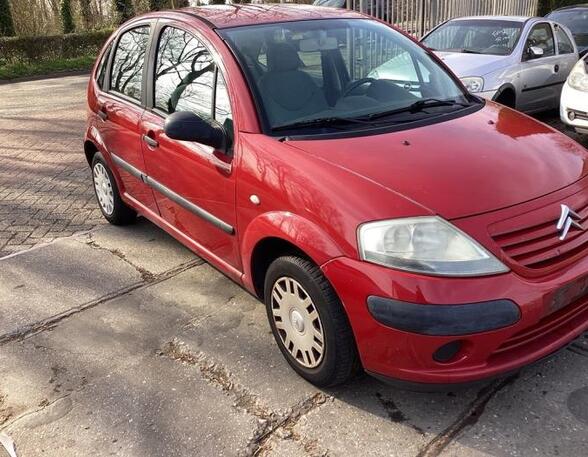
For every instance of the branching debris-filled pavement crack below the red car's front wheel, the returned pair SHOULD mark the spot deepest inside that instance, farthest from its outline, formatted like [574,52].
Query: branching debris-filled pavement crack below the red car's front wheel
[269,423]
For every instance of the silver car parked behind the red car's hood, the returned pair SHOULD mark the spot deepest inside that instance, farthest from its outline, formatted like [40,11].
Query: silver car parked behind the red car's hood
[519,62]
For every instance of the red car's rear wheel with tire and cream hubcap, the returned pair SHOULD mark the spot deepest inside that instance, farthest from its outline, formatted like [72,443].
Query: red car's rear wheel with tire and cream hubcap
[113,208]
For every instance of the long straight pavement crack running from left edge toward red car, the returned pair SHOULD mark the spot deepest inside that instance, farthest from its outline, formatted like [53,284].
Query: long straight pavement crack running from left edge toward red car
[50,323]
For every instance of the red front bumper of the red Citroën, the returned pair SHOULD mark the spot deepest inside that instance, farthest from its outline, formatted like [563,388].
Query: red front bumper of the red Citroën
[410,356]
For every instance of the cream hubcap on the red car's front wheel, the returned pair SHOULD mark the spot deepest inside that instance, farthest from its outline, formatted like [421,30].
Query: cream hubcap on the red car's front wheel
[297,321]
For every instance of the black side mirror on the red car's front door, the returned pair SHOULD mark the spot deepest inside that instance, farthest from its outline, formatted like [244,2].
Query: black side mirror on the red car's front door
[187,126]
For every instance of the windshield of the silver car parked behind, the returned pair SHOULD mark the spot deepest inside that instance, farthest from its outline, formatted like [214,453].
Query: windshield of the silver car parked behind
[476,36]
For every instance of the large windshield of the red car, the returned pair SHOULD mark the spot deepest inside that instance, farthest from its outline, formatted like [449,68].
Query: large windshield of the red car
[341,74]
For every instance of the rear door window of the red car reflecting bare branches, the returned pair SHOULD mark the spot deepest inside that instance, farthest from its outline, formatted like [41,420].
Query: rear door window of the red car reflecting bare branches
[129,61]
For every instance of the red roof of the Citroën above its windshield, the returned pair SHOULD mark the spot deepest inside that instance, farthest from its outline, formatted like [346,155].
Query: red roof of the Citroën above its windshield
[235,15]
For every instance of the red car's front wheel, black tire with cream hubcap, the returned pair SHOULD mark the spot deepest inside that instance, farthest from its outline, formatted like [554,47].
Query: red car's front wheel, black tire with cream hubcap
[301,306]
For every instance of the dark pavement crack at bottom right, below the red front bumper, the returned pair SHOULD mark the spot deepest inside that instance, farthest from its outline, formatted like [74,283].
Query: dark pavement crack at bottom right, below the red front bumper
[467,418]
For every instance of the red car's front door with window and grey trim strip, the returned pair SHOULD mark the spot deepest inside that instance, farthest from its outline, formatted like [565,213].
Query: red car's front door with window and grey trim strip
[194,184]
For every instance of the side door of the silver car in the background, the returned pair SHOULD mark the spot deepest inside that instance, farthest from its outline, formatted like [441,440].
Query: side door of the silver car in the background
[539,76]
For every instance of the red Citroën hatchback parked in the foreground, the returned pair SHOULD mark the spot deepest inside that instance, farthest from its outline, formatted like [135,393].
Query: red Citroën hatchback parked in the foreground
[398,225]
